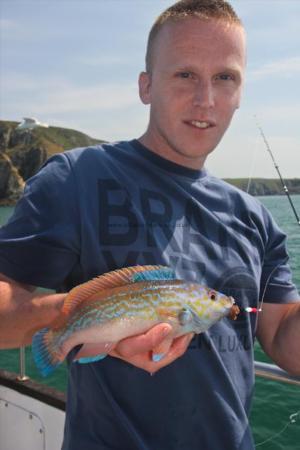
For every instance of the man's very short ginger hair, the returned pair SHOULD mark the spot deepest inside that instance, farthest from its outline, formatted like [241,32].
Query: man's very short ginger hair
[202,9]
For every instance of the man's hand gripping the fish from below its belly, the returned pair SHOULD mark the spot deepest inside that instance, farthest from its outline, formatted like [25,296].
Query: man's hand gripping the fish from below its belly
[152,350]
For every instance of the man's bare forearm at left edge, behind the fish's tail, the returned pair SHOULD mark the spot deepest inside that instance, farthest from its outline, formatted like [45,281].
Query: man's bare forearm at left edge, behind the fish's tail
[22,313]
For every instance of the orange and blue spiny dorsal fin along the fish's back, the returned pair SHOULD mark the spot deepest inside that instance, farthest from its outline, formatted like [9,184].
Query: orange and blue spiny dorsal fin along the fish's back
[116,278]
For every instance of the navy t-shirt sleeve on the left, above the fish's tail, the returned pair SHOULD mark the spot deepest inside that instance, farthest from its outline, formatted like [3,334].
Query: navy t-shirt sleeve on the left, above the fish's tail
[40,243]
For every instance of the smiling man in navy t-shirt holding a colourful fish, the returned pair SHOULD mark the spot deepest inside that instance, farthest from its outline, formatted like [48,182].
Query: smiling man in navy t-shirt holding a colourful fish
[151,201]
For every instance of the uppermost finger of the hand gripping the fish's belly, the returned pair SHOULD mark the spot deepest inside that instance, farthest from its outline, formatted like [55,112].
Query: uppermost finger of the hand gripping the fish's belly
[143,342]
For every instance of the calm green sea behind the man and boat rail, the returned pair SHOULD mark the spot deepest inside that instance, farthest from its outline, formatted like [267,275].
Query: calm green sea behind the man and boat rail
[274,402]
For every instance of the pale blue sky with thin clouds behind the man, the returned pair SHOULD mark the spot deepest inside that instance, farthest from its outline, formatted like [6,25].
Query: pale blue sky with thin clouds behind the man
[75,64]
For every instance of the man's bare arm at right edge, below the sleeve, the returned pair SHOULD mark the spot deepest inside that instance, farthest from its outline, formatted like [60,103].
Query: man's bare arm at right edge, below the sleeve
[278,332]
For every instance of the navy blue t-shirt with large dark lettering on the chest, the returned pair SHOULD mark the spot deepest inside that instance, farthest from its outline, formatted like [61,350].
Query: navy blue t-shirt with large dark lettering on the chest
[97,209]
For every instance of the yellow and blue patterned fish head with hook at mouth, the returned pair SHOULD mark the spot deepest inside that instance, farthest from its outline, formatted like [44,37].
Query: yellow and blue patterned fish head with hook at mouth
[204,307]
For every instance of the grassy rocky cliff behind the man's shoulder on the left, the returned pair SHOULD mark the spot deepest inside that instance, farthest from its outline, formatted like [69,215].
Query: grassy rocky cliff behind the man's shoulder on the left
[23,152]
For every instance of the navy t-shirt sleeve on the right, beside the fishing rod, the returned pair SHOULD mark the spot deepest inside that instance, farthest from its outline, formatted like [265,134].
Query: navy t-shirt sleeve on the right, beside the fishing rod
[276,281]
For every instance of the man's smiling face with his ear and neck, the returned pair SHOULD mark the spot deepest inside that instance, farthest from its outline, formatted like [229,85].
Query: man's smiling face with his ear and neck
[193,89]
